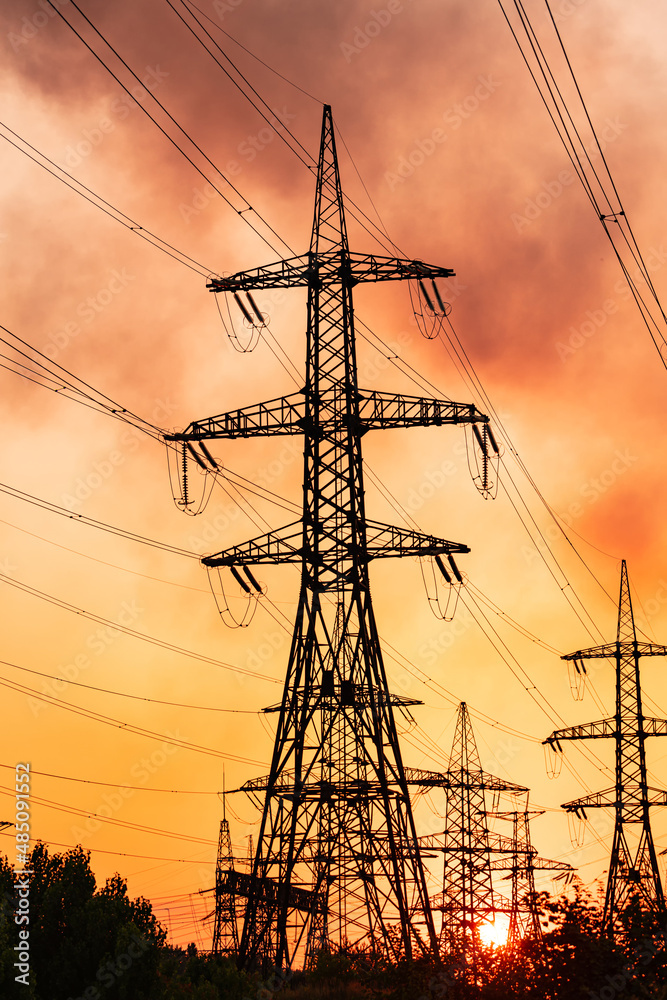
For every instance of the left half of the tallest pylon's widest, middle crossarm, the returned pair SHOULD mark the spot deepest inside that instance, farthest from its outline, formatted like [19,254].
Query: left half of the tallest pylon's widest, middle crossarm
[284,415]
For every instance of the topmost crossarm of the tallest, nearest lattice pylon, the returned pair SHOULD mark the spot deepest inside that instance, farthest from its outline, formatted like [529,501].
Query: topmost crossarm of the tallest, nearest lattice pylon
[318,269]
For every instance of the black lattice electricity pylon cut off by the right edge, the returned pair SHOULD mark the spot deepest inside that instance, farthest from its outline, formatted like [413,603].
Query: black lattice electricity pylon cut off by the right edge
[632,872]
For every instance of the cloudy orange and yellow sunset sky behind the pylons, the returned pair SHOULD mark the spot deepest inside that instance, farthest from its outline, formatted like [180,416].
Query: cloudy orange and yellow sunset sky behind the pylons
[445,144]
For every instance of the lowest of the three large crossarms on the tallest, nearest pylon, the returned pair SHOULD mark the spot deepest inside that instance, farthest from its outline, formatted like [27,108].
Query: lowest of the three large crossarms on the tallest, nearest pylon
[285,545]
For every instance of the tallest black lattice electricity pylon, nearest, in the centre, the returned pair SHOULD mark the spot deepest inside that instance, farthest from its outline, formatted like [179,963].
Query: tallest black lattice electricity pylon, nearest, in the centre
[336,855]
